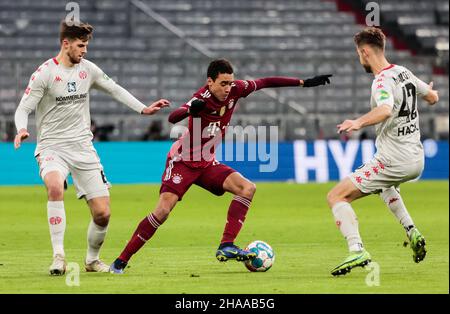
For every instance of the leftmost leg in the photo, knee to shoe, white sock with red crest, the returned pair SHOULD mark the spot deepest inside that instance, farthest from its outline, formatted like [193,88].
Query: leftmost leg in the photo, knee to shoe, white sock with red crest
[54,182]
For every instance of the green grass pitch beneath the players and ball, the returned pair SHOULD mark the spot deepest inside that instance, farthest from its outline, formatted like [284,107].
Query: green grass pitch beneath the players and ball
[180,258]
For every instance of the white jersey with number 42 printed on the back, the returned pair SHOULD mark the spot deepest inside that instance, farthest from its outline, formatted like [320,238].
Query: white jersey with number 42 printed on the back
[398,137]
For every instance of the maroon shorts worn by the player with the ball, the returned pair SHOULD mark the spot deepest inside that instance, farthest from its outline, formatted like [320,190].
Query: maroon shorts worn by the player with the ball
[178,177]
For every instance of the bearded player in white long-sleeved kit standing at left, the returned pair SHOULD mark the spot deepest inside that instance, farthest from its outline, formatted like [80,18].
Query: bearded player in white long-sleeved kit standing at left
[59,92]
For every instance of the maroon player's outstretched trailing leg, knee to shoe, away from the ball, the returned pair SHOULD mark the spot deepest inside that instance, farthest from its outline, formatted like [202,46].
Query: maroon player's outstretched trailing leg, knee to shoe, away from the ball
[145,230]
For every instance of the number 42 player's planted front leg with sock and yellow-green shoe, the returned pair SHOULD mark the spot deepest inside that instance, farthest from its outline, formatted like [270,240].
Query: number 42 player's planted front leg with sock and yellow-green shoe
[339,199]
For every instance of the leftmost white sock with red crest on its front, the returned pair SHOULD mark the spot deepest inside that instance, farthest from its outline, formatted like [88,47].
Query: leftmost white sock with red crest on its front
[57,225]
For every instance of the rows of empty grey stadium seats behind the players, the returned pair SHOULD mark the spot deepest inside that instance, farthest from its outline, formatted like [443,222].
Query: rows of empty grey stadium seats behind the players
[261,38]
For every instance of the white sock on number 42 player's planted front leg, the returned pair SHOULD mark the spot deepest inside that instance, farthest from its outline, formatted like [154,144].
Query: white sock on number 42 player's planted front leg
[347,223]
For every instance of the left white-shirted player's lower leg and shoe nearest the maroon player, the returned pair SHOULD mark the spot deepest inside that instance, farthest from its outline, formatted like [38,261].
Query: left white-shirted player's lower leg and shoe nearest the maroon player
[97,229]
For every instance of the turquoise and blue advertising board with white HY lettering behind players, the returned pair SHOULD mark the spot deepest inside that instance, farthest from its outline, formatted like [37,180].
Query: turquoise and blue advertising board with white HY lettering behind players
[299,161]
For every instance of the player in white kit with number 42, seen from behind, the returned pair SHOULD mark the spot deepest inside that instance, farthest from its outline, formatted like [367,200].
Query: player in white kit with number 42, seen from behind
[399,157]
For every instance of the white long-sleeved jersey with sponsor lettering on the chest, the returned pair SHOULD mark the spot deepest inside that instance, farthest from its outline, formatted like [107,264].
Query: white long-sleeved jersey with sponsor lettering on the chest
[60,96]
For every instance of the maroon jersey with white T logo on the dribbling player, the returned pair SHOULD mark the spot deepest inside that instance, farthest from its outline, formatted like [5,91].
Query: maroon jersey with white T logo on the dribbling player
[197,147]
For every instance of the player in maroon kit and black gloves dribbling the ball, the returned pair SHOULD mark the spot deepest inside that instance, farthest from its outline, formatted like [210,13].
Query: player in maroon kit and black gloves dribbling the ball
[191,159]
